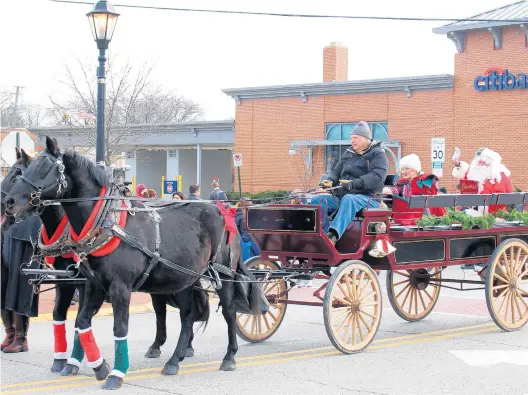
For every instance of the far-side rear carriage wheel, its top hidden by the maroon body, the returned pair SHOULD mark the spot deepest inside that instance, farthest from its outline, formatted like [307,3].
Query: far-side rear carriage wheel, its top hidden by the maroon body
[412,294]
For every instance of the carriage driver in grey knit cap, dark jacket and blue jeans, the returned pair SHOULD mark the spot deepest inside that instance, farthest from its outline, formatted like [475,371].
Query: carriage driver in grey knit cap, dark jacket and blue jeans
[361,172]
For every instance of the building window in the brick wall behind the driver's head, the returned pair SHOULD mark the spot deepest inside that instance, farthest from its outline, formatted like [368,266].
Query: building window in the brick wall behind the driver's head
[340,134]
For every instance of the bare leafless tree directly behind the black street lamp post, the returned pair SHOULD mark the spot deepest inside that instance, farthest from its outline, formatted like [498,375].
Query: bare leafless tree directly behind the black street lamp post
[131,98]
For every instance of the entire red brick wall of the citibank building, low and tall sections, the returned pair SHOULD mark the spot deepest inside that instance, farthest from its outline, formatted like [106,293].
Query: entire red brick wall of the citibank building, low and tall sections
[465,117]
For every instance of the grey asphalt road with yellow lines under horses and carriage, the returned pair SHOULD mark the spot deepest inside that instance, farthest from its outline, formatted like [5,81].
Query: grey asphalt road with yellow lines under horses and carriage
[427,357]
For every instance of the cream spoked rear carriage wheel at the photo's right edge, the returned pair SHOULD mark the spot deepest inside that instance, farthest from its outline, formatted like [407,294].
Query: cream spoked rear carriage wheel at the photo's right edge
[507,285]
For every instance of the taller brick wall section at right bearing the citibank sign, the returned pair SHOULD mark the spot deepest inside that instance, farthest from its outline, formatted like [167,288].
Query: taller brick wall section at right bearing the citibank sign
[496,119]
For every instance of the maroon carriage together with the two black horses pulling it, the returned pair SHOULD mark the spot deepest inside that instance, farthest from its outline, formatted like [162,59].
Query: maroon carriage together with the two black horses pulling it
[121,253]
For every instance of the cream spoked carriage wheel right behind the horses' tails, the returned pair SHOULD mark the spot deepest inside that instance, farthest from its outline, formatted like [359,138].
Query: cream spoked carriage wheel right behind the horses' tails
[257,328]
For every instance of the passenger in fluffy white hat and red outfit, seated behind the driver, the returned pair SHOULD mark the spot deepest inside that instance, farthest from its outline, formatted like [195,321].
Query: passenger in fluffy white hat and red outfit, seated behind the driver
[412,182]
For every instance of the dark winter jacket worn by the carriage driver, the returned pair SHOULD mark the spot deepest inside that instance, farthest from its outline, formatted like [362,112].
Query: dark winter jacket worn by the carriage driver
[366,171]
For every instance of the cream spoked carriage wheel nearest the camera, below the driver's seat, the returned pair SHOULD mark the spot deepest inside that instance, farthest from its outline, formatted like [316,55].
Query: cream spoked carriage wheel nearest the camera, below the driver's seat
[352,307]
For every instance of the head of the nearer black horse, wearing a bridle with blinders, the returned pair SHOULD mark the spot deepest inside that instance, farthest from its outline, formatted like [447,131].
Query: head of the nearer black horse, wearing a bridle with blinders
[44,178]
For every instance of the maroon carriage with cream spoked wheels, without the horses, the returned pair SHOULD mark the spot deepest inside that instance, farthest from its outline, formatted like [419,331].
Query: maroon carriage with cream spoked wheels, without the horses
[292,240]
